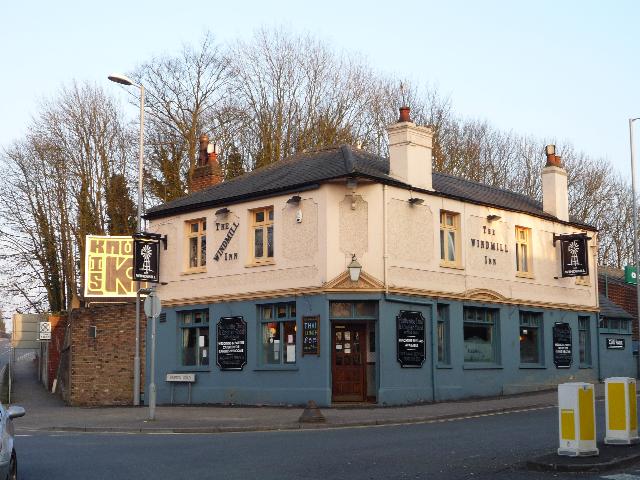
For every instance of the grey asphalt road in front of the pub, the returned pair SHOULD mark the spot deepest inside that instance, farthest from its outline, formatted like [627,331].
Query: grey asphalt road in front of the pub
[488,447]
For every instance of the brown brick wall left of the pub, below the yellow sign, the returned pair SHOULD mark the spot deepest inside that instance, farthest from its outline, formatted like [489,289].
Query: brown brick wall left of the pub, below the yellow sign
[101,368]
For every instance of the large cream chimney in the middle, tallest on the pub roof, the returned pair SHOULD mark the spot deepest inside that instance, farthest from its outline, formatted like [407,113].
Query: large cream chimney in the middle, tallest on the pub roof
[410,151]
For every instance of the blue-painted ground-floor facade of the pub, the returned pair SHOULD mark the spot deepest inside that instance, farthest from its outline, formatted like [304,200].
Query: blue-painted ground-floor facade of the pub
[458,339]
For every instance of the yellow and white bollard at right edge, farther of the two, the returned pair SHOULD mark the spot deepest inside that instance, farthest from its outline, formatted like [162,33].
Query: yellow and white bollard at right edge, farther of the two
[622,411]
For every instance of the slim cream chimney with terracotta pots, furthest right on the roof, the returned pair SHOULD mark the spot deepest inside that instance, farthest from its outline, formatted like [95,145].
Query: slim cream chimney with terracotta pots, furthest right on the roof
[555,194]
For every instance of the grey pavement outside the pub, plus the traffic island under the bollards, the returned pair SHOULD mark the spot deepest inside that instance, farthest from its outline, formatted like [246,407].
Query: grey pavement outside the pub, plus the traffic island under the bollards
[47,412]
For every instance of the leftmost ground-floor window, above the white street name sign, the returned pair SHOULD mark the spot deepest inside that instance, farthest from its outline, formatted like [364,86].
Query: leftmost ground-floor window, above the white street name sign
[194,332]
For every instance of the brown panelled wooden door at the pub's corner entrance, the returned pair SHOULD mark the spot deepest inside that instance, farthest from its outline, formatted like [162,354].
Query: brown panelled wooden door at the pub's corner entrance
[349,362]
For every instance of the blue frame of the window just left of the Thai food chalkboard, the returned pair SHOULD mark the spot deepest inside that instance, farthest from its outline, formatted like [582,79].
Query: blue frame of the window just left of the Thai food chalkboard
[290,316]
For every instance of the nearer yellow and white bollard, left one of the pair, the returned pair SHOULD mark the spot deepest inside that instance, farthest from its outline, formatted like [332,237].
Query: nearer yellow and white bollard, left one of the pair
[577,419]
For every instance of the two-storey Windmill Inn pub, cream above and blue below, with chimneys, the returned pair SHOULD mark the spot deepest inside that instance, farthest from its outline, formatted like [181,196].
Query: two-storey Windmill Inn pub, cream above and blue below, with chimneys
[341,276]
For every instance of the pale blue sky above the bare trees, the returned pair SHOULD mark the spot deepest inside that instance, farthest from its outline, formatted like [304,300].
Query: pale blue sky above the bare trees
[563,69]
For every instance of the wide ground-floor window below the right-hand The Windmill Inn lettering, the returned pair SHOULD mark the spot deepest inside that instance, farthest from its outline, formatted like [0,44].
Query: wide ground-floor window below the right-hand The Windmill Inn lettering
[480,335]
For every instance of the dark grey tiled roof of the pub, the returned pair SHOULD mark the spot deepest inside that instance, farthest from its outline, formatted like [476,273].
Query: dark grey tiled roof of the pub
[308,170]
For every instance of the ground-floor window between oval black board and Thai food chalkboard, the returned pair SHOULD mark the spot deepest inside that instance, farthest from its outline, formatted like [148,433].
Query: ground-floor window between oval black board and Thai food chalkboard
[278,331]
